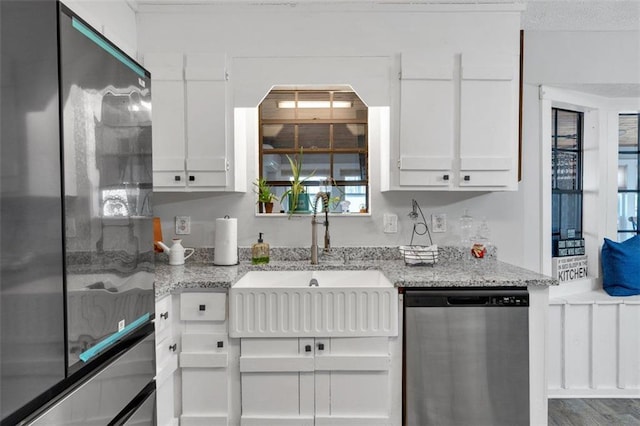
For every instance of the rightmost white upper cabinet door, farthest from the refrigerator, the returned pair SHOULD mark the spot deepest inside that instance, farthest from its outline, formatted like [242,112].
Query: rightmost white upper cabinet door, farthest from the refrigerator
[488,122]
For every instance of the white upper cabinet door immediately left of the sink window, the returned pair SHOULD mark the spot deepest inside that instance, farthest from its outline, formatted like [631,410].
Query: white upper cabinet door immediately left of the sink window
[207,162]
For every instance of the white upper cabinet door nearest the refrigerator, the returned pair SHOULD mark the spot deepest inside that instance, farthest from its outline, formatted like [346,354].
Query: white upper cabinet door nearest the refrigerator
[168,129]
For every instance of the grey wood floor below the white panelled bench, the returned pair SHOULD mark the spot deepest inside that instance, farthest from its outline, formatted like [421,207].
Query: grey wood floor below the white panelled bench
[594,412]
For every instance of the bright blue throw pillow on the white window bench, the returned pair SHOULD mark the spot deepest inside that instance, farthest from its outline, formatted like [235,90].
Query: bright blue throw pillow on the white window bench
[621,267]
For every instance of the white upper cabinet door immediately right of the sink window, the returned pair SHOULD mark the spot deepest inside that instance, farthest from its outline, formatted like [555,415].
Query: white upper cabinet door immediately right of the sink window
[426,121]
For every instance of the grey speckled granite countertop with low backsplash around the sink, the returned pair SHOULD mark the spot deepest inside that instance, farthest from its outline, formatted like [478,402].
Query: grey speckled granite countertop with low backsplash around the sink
[452,270]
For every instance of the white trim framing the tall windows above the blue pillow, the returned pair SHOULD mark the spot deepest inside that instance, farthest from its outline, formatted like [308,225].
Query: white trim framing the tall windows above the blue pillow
[600,160]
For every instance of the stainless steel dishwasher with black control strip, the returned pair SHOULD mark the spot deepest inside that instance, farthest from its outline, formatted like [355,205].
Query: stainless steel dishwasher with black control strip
[466,357]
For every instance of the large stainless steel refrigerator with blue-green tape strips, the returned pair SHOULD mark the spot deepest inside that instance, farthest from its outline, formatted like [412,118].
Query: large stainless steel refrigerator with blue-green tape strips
[76,285]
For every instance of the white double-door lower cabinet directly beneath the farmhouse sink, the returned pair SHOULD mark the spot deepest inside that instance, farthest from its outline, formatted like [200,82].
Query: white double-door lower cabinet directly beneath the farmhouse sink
[316,381]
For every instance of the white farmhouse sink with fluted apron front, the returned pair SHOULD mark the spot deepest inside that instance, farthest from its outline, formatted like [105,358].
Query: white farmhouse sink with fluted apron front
[283,304]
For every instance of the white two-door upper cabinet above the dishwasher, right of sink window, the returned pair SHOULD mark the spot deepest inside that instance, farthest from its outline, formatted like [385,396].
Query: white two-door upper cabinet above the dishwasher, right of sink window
[458,126]
